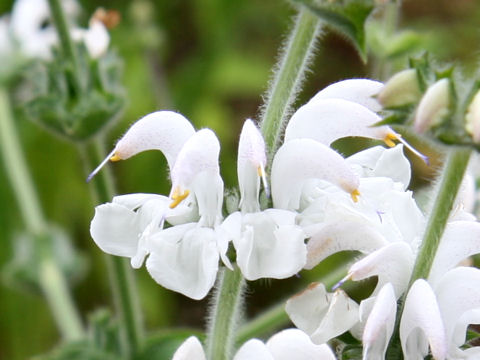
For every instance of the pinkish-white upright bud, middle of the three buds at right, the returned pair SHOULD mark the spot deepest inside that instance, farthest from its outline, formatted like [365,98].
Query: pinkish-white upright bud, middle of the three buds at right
[433,107]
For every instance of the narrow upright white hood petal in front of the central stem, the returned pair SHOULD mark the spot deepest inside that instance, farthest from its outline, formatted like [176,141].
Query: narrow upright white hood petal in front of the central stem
[251,160]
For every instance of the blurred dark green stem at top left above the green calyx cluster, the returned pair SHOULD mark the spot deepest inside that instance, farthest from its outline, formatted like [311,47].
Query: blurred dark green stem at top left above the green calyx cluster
[66,42]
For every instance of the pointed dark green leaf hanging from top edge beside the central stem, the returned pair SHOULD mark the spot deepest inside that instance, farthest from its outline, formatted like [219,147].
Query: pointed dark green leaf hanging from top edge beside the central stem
[348,17]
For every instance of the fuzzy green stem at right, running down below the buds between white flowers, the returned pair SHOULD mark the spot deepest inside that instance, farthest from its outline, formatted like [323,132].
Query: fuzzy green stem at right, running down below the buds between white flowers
[449,185]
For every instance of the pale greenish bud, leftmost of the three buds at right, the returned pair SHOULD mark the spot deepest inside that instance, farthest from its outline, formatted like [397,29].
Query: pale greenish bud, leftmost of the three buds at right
[402,89]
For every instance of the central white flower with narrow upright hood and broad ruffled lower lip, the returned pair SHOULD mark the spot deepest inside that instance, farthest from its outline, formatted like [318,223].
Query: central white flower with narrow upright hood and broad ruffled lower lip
[268,243]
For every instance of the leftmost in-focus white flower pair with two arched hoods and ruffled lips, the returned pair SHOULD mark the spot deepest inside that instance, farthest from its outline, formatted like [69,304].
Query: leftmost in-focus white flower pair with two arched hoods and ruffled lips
[185,257]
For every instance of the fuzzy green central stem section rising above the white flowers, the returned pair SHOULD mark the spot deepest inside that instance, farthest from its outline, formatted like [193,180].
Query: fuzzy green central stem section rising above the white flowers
[288,78]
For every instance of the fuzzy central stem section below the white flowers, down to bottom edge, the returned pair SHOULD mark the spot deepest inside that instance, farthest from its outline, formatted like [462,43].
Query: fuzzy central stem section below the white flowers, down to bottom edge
[224,314]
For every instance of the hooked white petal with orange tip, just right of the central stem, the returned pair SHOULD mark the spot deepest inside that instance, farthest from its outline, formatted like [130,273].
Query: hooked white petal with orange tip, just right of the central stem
[302,159]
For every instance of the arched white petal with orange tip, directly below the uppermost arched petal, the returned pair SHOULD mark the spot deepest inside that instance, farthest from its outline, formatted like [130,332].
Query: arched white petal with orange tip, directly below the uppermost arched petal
[331,119]
